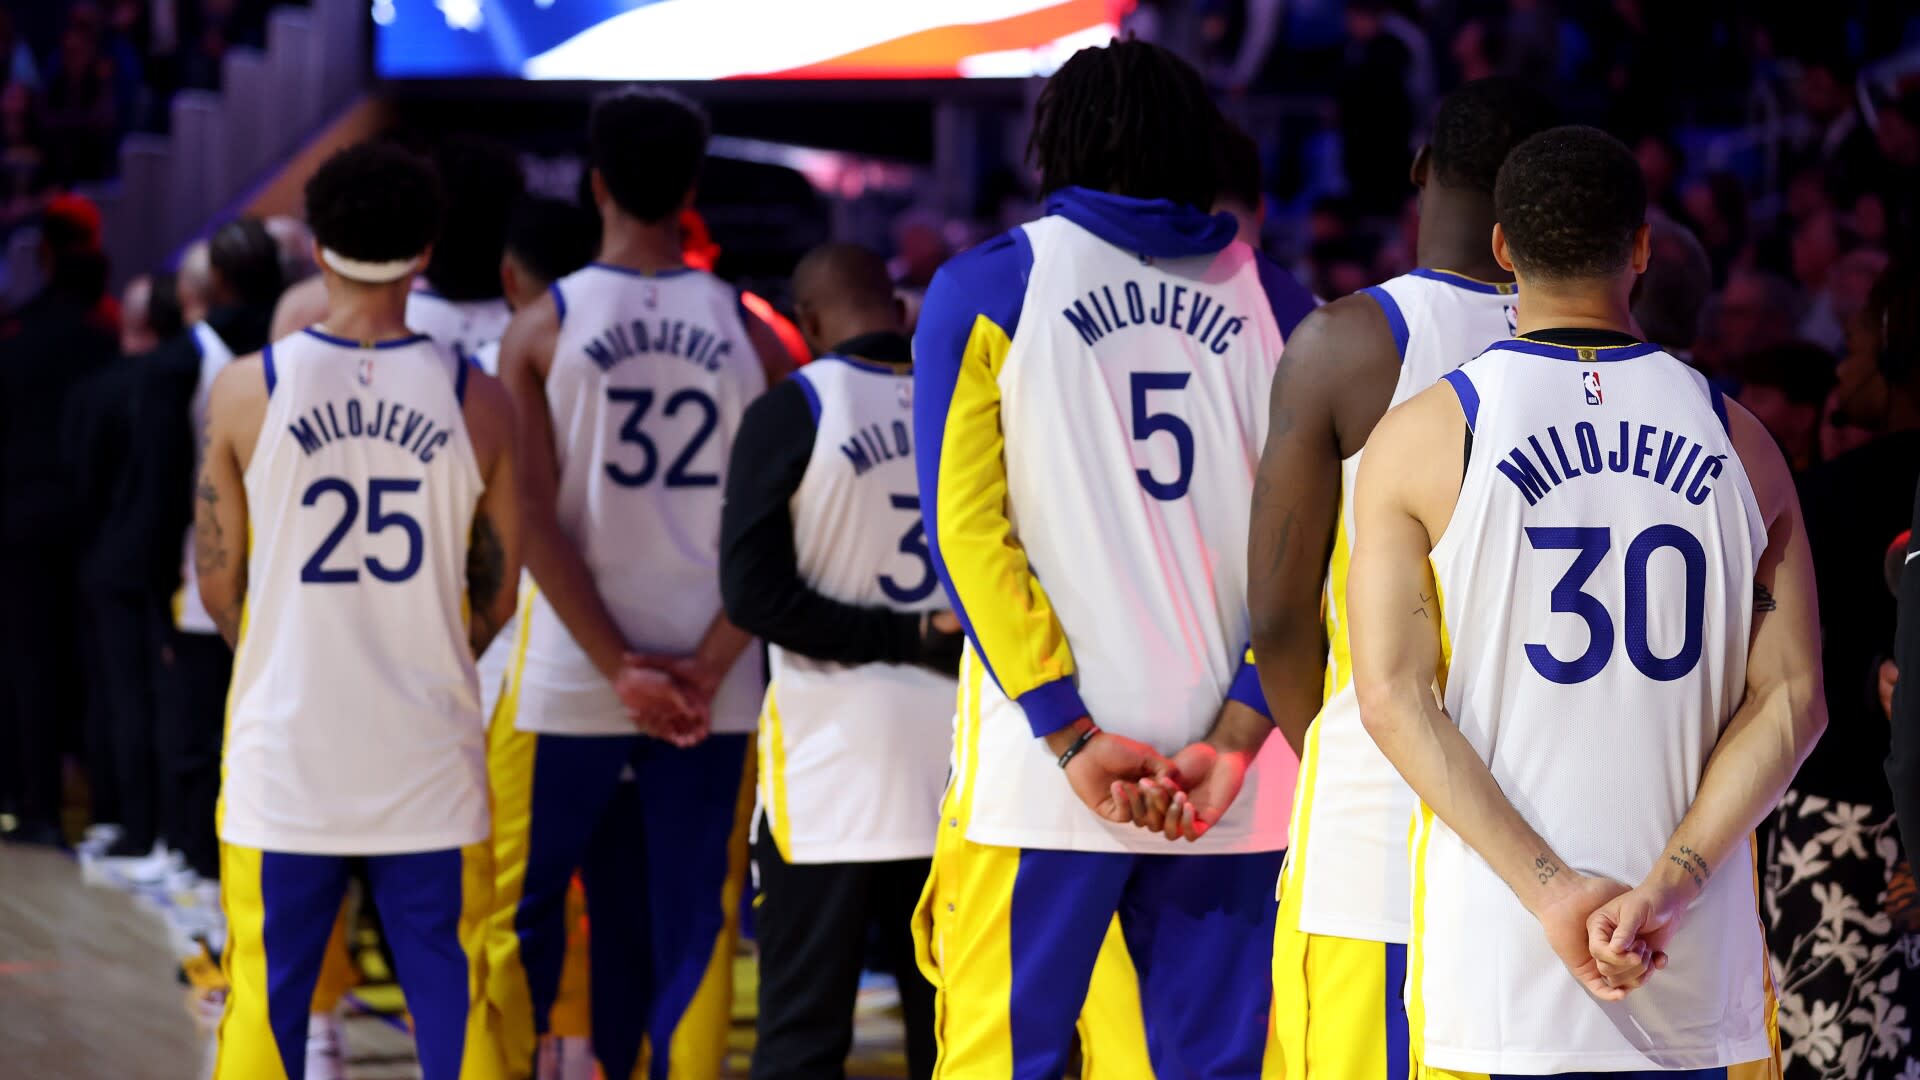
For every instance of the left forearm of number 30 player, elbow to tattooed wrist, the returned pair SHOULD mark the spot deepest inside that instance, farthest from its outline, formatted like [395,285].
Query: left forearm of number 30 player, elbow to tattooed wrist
[1456,785]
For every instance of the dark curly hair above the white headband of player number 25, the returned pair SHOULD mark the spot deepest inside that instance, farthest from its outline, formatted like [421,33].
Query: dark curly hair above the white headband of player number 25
[375,203]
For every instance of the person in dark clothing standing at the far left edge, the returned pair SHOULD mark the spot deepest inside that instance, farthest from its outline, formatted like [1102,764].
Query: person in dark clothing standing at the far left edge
[47,349]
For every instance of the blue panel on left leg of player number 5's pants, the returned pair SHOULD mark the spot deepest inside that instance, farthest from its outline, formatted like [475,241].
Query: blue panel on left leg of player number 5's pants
[1059,916]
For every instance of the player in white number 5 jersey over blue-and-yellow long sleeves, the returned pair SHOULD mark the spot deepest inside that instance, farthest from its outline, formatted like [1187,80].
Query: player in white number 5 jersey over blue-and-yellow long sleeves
[1088,414]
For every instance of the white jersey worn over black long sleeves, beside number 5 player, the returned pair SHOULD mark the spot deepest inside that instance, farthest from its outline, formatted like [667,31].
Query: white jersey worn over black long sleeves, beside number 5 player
[853,760]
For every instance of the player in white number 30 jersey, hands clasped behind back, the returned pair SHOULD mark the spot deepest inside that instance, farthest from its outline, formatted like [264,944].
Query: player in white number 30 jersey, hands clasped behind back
[1600,564]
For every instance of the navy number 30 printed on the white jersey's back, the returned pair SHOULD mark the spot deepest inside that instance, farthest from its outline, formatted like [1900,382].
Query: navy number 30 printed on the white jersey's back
[1570,599]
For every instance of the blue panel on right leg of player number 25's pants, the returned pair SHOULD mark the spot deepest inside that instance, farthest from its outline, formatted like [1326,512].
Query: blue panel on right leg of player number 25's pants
[421,898]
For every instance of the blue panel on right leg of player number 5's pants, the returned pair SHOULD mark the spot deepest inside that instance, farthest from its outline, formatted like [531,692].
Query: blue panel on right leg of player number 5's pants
[1191,923]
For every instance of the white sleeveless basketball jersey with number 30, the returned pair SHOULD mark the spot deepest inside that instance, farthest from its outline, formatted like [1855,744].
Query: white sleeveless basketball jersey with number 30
[1596,591]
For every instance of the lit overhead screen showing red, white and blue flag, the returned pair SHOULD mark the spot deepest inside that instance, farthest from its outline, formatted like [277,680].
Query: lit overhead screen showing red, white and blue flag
[734,39]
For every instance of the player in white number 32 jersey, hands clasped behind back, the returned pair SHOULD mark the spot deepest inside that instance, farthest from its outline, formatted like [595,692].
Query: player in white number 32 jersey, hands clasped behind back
[629,380]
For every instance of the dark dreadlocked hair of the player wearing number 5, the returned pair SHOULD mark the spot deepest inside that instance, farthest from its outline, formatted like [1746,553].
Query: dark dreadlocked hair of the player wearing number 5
[1132,120]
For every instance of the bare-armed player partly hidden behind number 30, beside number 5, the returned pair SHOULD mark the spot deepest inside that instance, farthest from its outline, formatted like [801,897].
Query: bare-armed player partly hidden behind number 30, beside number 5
[1339,952]
